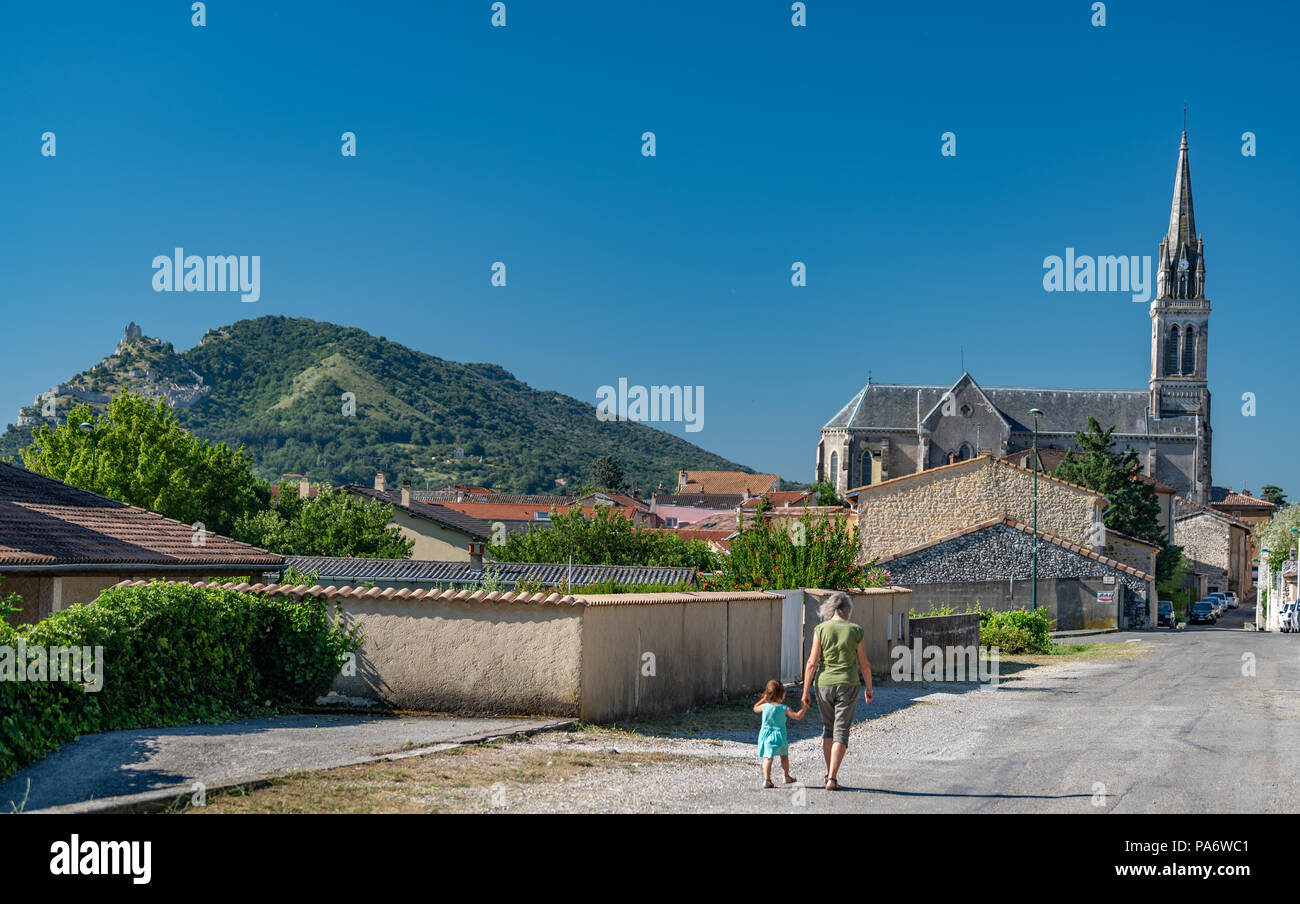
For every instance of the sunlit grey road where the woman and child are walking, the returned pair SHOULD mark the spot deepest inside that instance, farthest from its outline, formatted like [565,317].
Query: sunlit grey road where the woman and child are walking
[1176,730]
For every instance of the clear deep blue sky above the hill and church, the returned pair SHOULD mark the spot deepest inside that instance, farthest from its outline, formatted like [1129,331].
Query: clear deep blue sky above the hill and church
[775,145]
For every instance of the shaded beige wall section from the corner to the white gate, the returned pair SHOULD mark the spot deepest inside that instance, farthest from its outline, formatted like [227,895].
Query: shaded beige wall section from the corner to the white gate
[700,646]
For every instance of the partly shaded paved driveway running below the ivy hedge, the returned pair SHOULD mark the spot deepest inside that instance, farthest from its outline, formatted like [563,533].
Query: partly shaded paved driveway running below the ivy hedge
[128,763]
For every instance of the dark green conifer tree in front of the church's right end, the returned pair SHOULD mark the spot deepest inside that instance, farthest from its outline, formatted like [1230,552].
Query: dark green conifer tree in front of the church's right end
[1134,508]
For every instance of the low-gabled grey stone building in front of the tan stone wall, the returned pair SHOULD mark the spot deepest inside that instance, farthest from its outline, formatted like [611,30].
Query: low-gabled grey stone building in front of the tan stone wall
[991,564]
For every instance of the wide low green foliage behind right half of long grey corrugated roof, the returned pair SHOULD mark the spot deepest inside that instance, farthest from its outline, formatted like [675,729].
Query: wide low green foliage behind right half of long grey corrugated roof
[606,538]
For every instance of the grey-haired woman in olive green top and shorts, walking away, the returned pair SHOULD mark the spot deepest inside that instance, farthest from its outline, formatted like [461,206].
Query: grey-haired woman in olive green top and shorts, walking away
[838,659]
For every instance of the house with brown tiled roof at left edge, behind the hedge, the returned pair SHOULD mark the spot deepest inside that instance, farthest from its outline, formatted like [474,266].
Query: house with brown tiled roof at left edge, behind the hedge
[60,546]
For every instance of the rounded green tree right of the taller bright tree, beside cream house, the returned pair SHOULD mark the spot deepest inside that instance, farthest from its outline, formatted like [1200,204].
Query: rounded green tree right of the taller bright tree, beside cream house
[331,524]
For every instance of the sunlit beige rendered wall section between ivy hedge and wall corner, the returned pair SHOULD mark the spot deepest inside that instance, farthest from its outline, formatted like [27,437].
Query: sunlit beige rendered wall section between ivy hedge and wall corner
[465,656]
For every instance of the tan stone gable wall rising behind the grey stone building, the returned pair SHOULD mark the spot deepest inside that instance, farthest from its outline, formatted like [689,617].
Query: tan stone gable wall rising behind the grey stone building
[935,504]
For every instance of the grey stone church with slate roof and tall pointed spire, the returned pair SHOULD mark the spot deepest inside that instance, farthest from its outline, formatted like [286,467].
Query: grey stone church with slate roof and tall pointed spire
[892,430]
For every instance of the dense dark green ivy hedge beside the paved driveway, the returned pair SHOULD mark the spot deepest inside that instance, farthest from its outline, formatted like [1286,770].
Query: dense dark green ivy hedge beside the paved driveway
[172,655]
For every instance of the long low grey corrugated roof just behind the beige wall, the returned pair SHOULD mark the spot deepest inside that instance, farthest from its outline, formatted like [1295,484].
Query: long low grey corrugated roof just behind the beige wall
[417,572]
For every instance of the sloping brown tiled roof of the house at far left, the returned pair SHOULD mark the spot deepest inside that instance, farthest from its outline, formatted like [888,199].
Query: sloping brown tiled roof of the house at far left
[46,522]
